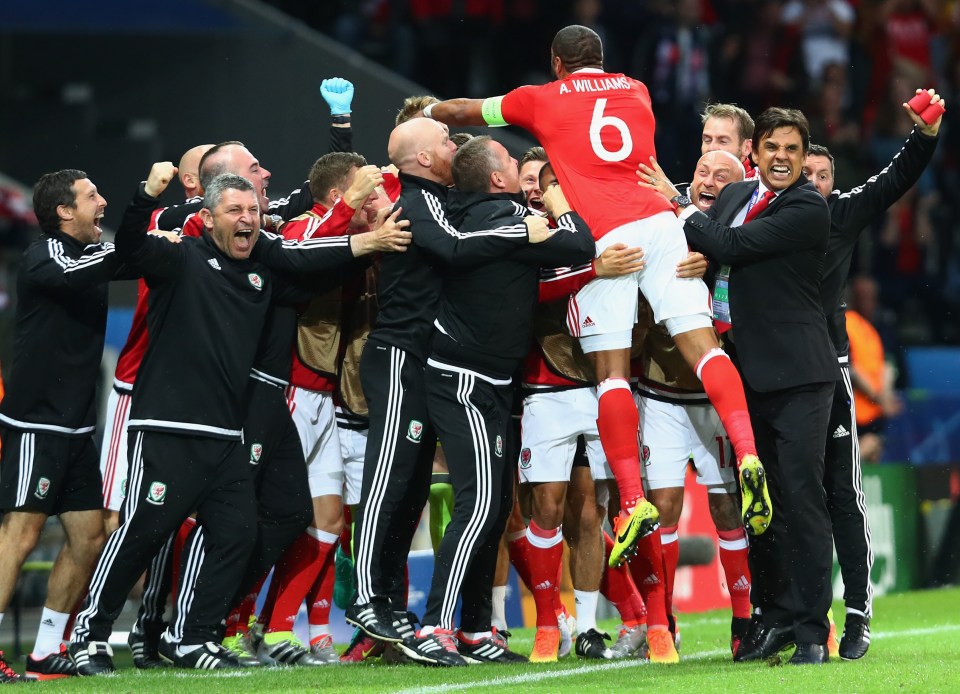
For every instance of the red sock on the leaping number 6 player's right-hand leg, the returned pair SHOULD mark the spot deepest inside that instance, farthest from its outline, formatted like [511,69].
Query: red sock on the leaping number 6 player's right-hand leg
[723,386]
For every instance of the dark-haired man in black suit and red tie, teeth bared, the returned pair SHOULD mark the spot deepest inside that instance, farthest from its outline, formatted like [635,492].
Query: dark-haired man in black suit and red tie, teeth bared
[771,238]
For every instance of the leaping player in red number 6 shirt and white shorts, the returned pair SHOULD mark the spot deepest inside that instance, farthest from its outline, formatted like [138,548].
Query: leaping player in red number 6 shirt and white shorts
[596,127]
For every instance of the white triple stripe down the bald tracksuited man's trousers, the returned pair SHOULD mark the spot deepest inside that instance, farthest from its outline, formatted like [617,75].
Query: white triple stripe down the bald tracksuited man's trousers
[381,477]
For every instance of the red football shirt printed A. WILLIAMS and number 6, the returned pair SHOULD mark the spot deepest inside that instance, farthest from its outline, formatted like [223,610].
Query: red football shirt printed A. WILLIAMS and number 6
[596,127]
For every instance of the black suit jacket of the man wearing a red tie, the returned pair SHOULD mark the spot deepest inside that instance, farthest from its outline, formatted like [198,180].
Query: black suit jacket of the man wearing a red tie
[776,262]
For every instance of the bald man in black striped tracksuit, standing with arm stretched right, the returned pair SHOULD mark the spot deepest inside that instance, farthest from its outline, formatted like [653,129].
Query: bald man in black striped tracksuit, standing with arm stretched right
[401,443]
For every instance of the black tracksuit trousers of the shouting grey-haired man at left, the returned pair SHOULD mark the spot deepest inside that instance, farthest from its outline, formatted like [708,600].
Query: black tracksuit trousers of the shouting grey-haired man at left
[171,475]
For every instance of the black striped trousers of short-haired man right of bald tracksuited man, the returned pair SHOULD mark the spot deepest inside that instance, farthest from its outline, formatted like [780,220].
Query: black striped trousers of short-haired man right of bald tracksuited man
[472,419]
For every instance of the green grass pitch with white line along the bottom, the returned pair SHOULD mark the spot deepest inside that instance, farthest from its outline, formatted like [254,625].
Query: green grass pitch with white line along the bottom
[914,649]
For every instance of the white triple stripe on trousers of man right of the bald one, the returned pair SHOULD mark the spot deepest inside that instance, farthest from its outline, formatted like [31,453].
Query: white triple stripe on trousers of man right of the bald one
[481,505]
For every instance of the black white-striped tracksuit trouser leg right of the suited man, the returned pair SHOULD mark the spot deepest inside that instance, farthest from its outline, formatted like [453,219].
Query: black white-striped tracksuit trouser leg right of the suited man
[848,508]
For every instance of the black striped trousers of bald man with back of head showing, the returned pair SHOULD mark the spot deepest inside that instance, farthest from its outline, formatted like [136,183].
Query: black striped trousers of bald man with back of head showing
[396,470]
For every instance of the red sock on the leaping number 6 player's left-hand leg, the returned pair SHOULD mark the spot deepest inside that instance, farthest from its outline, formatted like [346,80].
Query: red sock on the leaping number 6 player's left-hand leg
[619,424]
